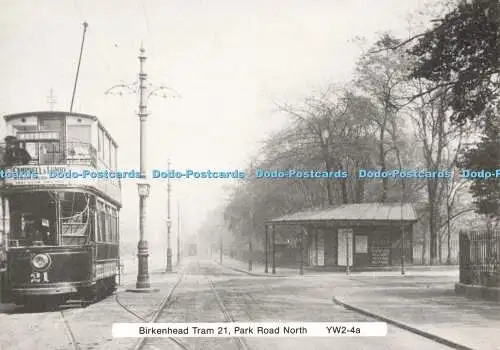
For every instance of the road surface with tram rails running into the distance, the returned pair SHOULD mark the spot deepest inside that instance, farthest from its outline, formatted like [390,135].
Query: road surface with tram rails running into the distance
[204,292]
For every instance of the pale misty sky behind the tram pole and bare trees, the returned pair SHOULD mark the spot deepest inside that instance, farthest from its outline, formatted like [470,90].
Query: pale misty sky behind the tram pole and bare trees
[229,60]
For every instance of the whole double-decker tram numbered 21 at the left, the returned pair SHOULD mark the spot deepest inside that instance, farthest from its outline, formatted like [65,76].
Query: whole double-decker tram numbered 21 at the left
[60,233]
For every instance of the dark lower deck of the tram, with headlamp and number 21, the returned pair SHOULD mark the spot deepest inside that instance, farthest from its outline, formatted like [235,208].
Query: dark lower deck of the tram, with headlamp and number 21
[61,245]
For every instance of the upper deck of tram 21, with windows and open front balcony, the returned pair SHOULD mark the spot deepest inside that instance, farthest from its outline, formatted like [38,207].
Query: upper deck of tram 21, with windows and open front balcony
[59,142]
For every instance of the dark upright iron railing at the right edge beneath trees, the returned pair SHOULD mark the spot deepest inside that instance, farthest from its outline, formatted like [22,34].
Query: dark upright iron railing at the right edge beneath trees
[480,258]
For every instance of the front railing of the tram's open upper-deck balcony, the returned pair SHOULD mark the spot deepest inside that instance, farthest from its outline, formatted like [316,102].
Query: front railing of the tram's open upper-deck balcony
[55,153]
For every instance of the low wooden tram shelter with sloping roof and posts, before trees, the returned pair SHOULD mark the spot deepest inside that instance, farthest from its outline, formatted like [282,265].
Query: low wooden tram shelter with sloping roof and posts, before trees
[357,236]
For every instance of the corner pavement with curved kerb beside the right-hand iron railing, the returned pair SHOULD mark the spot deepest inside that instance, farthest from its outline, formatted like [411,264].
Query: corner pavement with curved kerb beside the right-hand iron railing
[433,310]
